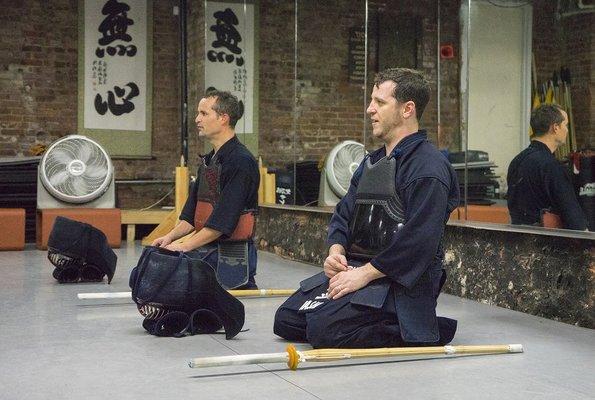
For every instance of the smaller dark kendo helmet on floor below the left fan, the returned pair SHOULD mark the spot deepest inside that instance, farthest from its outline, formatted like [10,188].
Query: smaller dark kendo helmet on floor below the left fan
[80,252]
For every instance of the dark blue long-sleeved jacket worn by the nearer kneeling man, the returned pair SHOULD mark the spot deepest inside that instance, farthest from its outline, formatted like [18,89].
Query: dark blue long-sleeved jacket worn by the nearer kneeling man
[428,186]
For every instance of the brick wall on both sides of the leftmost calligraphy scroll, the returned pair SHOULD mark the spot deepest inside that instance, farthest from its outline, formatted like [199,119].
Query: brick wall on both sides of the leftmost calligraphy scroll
[38,87]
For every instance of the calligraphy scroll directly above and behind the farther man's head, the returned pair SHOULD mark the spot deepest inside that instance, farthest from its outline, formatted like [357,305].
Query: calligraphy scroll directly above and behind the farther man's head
[229,56]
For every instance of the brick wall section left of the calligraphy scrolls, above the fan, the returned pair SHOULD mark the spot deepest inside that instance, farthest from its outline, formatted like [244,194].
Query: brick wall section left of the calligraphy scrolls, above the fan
[38,73]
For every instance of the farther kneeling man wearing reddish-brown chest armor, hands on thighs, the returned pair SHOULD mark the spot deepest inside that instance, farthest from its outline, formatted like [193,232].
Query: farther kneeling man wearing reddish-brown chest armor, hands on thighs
[223,200]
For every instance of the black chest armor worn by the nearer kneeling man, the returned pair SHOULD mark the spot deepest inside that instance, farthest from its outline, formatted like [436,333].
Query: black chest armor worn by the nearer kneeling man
[378,212]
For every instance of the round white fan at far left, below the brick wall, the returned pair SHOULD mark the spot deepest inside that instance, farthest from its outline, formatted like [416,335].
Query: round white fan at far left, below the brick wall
[76,169]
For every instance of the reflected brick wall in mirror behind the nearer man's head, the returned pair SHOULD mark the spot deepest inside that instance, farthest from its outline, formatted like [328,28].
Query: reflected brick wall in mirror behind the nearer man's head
[330,109]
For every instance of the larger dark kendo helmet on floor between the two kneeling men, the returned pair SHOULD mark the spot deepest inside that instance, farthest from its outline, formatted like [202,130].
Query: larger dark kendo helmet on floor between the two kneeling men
[179,295]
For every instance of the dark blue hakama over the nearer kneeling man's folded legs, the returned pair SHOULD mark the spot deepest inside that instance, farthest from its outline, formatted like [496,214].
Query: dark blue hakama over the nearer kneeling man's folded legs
[348,323]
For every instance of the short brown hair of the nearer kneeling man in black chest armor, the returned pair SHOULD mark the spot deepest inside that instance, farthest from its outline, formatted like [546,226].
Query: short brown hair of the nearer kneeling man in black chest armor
[410,85]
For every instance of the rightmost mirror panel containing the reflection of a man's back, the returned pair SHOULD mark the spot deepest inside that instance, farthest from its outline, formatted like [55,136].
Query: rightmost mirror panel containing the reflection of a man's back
[516,57]
